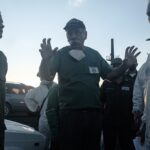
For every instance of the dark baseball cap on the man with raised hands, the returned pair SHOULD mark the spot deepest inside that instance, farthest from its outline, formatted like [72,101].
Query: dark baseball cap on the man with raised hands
[74,23]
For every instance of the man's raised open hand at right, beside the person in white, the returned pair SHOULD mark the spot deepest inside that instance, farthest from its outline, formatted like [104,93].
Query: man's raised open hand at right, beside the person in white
[130,56]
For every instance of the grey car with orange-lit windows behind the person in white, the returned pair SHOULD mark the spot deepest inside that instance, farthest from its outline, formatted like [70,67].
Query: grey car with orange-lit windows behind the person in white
[14,101]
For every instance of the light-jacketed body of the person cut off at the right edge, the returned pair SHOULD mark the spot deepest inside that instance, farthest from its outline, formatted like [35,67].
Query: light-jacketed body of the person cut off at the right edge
[141,102]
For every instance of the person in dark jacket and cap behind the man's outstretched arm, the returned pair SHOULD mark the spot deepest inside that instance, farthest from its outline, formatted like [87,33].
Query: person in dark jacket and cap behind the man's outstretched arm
[118,123]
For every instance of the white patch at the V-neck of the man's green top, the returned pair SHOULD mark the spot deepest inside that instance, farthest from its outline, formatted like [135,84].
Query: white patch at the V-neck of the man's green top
[77,54]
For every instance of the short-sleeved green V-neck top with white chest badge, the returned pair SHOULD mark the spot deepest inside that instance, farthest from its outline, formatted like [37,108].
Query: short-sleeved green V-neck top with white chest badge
[78,80]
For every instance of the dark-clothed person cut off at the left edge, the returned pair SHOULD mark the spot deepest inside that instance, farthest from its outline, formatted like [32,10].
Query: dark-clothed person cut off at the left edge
[3,71]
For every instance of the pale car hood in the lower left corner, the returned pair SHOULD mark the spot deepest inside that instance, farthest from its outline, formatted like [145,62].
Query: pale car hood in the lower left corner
[22,137]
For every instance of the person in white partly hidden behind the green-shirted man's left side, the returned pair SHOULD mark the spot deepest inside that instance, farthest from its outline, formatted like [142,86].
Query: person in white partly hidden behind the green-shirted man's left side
[35,100]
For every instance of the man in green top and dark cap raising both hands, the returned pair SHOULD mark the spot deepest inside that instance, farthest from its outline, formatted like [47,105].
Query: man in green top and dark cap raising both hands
[79,70]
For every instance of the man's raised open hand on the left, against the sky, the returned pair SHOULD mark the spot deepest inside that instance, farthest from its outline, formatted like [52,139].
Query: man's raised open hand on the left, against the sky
[46,49]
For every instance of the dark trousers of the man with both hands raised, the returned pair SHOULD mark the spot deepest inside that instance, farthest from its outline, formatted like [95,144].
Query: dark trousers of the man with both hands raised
[80,129]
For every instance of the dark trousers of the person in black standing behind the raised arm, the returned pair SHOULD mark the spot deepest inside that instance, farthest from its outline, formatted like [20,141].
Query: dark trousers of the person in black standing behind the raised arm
[113,134]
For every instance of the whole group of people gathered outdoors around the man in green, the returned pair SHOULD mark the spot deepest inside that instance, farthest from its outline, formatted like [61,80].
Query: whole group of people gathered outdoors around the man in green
[77,111]
